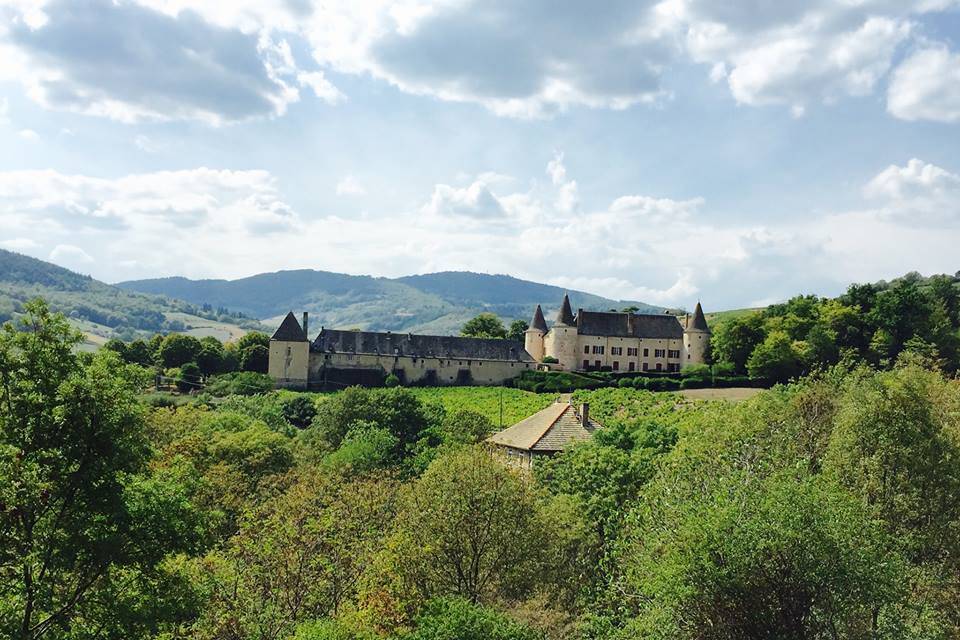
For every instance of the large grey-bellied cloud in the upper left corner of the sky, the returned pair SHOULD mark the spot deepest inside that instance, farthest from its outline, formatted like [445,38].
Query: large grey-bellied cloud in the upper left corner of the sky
[83,56]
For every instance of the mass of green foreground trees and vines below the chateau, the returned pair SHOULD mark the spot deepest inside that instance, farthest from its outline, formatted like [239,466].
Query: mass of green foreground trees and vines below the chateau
[827,508]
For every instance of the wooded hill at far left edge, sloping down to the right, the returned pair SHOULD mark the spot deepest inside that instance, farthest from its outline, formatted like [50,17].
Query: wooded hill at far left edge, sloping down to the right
[103,311]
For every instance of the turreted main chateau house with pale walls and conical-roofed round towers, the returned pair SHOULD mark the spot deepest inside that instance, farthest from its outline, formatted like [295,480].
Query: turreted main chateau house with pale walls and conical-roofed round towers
[623,342]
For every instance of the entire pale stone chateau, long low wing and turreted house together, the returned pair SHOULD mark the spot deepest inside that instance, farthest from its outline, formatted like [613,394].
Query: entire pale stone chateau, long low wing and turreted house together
[587,341]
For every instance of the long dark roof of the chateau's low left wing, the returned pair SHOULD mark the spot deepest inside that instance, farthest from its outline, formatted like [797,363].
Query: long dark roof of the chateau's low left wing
[406,344]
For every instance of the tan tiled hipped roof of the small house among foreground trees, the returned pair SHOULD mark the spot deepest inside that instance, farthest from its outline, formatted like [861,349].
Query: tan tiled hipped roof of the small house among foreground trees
[546,431]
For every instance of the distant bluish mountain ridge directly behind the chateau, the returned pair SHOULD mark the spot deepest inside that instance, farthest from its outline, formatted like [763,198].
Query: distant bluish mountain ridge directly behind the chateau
[430,303]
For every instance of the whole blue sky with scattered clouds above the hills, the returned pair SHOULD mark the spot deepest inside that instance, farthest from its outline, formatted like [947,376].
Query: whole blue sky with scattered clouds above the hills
[666,151]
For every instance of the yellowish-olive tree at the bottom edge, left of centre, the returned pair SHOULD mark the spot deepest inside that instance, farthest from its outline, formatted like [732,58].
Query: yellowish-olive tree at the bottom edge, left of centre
[298,557]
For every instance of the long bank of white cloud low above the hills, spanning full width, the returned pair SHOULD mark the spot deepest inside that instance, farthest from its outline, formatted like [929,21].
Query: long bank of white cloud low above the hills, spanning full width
[209,223]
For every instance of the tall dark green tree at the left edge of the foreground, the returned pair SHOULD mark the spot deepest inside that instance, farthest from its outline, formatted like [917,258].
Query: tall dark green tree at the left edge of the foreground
[72,451]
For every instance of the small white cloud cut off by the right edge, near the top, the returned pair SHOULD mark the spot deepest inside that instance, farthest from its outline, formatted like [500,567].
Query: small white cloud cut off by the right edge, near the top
[926,86]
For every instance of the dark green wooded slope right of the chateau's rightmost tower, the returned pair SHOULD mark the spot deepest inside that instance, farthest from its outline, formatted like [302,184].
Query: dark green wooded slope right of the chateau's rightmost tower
[870,323]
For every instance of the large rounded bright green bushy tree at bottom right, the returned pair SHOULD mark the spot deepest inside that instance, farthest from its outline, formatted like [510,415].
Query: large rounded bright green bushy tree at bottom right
[784,558]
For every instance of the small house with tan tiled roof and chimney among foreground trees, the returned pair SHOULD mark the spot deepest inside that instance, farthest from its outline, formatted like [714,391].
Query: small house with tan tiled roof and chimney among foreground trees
[544,434]
